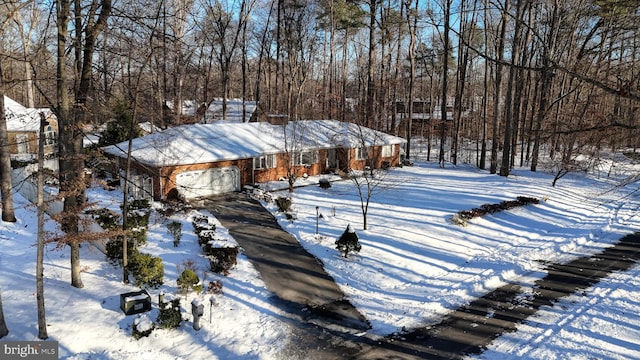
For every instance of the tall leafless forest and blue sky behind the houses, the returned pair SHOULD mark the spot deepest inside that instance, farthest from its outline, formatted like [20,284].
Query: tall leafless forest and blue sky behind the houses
[517,76]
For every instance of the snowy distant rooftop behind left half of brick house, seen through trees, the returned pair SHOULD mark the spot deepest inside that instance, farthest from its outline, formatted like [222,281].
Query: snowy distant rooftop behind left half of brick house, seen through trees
[214,111]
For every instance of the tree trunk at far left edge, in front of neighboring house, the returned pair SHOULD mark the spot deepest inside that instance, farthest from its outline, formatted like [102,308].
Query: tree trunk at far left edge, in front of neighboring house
[6,192]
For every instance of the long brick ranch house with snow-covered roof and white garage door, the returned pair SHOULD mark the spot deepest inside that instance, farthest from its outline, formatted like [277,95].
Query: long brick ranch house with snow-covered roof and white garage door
[199,160]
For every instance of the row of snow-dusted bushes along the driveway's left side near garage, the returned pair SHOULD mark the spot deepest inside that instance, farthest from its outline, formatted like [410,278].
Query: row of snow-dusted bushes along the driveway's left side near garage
[222,255]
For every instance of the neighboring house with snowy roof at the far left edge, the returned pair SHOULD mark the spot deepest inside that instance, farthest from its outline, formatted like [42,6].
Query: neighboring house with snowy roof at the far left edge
[23,128]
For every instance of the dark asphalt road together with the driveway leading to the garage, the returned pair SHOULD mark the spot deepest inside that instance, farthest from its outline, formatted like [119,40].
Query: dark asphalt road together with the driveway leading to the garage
[329,324]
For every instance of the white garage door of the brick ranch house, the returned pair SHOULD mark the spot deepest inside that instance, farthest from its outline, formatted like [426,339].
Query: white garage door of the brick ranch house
[198,183]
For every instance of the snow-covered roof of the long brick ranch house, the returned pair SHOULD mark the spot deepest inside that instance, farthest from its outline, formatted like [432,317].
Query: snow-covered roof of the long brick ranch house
[203,143]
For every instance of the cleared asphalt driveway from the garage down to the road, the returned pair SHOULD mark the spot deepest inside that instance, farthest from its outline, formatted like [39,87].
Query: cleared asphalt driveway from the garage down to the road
[296,277]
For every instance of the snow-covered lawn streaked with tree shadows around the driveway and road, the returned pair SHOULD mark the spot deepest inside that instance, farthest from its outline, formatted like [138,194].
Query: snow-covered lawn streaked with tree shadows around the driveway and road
[415,265]
